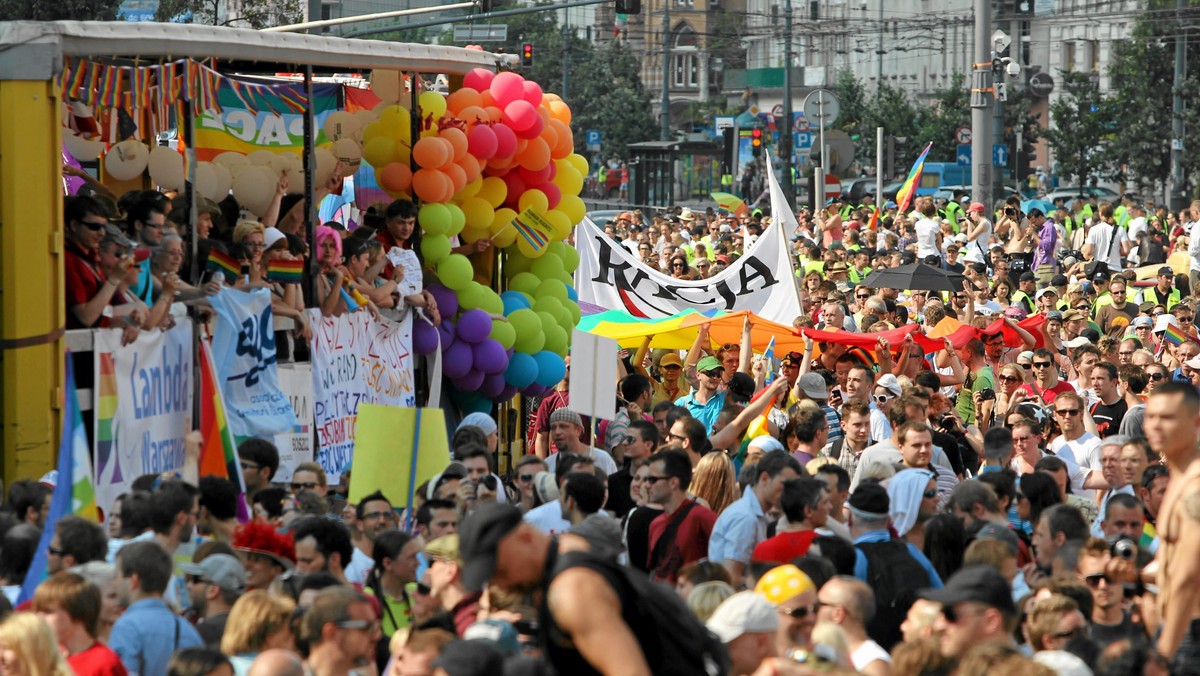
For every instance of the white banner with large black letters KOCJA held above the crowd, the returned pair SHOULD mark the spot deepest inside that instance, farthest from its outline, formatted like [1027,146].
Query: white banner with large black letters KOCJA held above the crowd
[763,282]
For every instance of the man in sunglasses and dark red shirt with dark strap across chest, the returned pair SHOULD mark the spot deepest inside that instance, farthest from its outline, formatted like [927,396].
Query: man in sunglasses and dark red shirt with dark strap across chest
[679,536]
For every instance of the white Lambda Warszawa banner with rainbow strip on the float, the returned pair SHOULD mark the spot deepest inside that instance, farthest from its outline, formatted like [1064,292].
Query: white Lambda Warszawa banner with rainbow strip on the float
[143,406]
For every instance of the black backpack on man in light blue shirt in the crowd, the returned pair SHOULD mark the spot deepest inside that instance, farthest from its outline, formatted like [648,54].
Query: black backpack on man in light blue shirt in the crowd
[896,577]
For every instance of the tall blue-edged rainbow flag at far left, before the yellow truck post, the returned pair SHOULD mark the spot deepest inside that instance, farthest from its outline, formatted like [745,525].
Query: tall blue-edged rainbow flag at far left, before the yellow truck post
[75,493]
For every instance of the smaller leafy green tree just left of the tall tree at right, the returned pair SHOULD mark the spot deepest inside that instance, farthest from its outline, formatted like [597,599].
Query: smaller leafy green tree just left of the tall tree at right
[1079,127]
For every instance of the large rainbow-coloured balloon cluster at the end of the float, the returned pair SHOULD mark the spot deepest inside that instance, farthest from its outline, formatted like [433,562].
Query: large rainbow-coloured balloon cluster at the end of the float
[487,153]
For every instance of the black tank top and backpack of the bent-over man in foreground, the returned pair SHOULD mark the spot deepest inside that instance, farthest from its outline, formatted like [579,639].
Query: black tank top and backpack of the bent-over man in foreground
[680,644]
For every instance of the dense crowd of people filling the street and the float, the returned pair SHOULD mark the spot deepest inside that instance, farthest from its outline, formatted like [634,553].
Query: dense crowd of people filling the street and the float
[1021,502]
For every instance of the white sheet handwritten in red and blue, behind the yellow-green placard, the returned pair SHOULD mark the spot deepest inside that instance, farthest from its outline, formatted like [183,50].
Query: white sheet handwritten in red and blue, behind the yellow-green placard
[356,360]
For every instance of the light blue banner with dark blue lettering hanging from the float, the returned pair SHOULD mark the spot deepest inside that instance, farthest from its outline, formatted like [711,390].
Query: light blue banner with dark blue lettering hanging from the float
[244,355]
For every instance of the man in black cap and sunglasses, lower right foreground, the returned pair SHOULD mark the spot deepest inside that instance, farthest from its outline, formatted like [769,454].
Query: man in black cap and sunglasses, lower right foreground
[977,609]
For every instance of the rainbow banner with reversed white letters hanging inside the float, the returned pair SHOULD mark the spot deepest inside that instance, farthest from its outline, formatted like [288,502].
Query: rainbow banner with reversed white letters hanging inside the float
[247,131]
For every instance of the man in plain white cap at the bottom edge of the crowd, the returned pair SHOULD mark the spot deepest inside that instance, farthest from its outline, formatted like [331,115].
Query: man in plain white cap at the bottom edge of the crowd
[747,625]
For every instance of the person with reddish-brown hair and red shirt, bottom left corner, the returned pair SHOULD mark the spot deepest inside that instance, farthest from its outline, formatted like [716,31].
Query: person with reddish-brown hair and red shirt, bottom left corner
[70,605]
